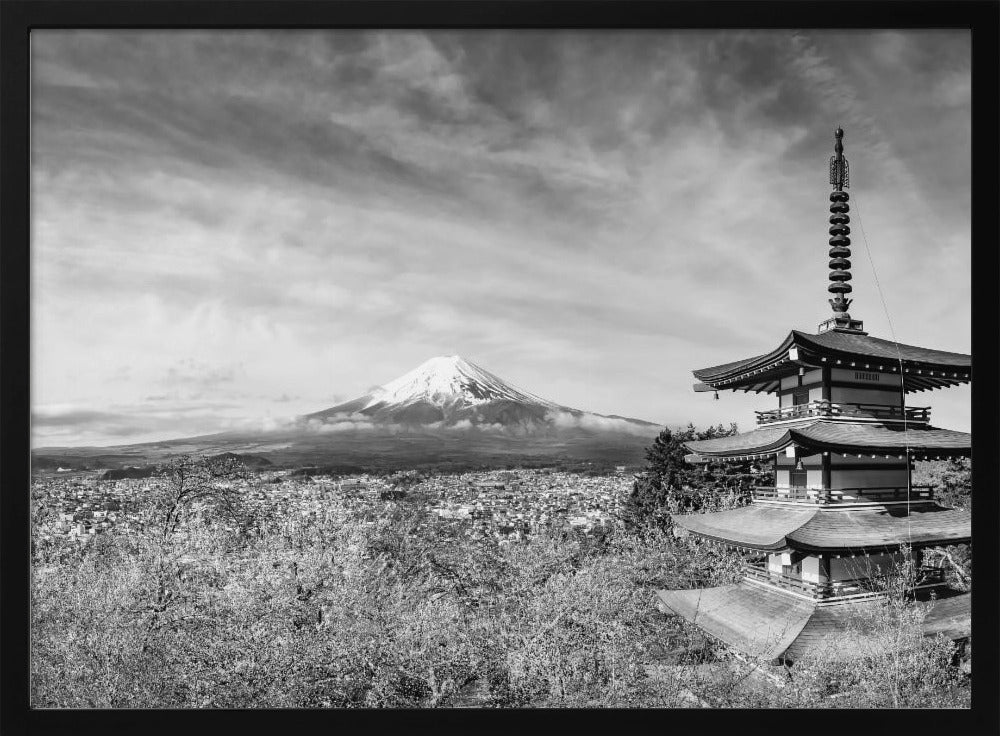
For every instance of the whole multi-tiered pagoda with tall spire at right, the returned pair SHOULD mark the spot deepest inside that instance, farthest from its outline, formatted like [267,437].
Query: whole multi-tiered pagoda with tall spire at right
[842,513]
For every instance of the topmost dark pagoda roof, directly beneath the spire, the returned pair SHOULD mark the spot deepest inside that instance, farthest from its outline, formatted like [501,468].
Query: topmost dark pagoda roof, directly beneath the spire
[922,368]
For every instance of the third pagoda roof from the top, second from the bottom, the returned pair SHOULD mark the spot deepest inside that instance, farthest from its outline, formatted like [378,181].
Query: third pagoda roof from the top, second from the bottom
[769,527]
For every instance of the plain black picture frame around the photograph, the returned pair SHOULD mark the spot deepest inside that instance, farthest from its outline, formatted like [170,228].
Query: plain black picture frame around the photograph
[18,18]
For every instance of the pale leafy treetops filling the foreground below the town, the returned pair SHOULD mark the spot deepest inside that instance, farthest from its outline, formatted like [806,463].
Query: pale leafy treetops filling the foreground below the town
[245,606]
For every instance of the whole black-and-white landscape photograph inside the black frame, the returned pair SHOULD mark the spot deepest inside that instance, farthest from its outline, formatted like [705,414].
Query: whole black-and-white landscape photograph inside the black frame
[501,368]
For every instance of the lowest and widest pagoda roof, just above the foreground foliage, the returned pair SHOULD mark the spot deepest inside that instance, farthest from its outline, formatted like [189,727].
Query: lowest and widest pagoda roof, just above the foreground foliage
[766,623]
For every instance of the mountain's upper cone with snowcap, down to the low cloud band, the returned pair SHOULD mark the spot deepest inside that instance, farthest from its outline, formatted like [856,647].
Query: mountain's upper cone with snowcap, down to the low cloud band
[451,392]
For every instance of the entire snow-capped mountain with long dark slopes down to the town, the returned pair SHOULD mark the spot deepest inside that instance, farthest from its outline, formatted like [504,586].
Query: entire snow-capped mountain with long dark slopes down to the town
[446,413]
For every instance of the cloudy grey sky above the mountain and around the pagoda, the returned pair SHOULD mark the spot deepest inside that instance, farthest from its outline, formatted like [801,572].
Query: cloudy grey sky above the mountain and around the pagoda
[233,228]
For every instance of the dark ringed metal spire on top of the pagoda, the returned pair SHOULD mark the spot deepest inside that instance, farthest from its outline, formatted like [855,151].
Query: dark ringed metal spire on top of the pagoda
[840,242]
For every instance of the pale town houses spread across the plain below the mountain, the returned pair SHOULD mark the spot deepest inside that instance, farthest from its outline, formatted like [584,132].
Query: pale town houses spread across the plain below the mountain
[506,504]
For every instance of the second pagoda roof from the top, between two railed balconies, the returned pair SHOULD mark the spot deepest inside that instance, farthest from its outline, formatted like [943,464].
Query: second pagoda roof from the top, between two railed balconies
[835,435]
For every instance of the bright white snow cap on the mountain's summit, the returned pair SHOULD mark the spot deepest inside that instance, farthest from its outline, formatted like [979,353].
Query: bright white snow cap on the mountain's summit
[449,379]
